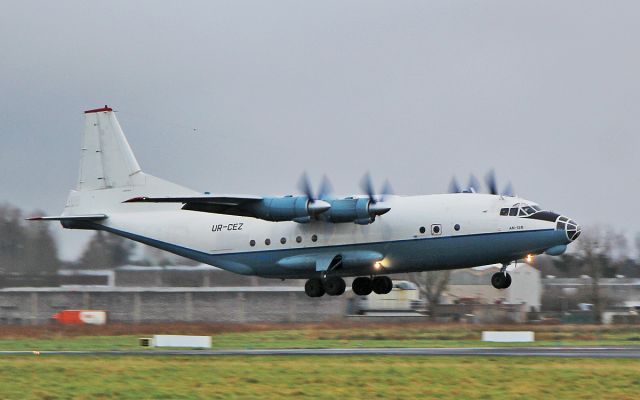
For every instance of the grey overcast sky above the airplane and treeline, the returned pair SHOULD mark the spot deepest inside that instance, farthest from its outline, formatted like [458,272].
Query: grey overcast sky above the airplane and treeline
[545,92]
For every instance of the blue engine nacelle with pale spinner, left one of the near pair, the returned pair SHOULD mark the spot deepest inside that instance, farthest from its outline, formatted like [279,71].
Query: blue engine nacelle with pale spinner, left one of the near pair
[288,208]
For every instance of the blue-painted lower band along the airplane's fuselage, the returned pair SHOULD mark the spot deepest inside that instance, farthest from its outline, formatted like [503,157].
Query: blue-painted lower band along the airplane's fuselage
[404,255]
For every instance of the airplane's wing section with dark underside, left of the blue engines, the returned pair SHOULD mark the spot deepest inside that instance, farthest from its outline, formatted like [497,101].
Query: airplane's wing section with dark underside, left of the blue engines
[225,204]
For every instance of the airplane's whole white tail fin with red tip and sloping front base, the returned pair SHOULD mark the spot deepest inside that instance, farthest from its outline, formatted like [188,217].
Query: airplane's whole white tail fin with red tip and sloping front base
[109,171]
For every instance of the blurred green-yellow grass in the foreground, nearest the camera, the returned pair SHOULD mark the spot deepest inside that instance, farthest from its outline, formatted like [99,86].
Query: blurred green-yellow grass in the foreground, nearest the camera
[327,377]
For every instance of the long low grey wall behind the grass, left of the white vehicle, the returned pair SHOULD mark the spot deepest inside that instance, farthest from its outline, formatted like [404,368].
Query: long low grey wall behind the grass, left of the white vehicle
[266,304]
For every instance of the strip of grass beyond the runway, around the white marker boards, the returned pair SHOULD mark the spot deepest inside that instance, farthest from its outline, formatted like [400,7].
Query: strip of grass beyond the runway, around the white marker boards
[307,336]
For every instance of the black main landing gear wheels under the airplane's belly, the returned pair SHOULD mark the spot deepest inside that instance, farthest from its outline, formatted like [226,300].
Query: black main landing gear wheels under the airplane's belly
[335,286]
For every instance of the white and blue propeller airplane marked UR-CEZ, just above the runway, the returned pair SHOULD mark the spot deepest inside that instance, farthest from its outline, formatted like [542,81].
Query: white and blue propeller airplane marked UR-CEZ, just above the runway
[321,238]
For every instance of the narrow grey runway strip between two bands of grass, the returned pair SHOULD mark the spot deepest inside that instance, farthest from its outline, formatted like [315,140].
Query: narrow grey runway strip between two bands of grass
[563,352]
